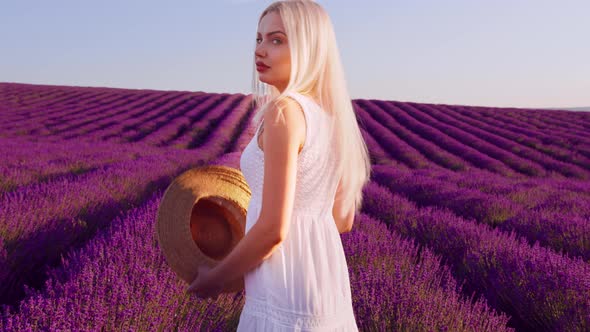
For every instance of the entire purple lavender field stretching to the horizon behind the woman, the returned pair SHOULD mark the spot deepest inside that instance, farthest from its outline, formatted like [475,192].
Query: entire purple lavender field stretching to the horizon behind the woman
[475,219]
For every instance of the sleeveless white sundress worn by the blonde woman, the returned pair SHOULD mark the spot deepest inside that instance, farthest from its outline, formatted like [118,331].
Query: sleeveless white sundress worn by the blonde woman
[304,285]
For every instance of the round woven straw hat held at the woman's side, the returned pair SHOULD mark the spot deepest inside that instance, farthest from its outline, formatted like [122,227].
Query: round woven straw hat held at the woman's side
[201,218]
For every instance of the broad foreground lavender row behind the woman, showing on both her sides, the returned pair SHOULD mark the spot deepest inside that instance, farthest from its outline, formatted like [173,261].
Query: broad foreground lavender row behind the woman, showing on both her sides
[120,279]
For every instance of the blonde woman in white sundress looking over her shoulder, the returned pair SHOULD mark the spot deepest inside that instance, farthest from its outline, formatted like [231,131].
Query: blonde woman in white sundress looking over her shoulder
[306,167]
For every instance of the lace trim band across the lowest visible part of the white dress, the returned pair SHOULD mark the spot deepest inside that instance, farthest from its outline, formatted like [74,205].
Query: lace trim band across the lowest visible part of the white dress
[291,318]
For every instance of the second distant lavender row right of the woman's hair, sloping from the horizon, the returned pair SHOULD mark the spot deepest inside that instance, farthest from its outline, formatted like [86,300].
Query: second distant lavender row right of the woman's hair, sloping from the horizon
[425,147]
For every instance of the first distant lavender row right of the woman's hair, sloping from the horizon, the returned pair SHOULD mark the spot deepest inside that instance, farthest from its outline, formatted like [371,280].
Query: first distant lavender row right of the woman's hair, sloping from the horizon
[395,147]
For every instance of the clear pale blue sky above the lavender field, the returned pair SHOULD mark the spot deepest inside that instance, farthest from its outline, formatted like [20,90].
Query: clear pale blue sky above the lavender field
[504,53]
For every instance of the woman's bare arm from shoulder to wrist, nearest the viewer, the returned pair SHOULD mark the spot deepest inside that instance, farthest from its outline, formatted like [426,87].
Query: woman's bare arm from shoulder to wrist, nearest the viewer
[281,139]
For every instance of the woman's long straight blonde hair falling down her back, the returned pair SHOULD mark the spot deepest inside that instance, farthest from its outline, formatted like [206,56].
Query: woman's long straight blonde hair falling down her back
[316,70]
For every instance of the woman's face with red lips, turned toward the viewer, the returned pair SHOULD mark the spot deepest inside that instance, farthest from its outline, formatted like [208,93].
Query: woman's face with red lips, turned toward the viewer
[272,50]
